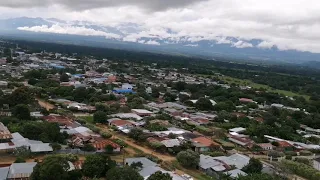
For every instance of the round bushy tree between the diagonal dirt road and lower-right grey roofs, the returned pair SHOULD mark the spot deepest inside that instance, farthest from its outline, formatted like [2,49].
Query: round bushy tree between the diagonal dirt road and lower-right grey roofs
[188,158]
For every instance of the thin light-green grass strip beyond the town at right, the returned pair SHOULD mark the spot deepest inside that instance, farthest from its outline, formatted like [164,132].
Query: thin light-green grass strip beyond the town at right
[245,82]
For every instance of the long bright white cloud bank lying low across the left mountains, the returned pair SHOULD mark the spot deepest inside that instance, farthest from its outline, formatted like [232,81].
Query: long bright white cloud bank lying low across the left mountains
[69,30]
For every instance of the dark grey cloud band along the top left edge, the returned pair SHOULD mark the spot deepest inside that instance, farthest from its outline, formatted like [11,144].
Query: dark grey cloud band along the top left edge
[154,5]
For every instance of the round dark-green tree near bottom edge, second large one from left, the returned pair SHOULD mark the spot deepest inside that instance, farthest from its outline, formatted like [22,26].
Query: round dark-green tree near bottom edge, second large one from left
[97,165]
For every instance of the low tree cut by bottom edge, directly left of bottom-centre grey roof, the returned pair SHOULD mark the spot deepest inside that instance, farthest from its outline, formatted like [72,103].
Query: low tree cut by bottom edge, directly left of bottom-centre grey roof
[123,173]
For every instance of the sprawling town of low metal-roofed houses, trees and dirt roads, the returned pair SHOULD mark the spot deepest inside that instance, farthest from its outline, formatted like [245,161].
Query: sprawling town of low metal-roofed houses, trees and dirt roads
[71,116]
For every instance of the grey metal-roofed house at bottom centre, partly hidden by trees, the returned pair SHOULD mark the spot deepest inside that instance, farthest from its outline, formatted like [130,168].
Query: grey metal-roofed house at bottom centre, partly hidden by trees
[149,168]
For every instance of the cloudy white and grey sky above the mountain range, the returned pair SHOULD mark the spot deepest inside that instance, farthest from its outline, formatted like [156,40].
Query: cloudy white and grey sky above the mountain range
[285,24]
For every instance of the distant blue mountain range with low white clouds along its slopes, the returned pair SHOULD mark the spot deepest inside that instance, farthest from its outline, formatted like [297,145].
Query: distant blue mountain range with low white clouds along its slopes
[120,37]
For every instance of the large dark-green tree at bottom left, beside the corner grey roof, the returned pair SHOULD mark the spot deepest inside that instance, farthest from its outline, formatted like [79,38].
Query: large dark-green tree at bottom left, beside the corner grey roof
[52,168]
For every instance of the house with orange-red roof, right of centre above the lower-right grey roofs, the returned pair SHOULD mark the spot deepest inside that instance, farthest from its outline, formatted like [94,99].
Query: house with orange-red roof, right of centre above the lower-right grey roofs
[203,144]
